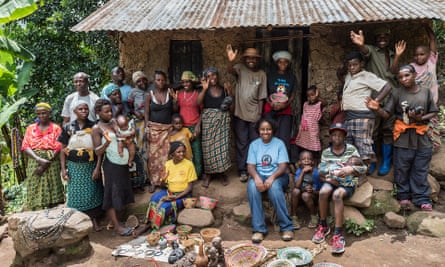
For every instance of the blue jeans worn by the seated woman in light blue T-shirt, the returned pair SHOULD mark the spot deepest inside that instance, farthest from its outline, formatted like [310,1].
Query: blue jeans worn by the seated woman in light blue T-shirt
[276,197]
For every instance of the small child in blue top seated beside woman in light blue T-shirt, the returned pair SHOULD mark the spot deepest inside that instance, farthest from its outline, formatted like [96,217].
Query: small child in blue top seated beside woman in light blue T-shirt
[307,185]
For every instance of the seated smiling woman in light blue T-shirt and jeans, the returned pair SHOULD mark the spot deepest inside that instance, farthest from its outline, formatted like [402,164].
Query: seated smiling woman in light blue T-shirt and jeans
[267,161]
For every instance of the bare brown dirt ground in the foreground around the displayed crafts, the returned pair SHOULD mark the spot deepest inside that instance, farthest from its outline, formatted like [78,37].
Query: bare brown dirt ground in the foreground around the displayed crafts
[382,247]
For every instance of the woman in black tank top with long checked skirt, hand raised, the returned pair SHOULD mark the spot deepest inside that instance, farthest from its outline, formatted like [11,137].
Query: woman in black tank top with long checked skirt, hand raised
[215,127]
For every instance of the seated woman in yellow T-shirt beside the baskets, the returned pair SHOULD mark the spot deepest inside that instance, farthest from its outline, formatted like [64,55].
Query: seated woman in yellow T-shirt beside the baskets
[179,174]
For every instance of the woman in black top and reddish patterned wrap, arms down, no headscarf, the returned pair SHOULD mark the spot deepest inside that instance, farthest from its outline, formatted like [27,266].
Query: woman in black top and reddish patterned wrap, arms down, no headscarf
[159,107]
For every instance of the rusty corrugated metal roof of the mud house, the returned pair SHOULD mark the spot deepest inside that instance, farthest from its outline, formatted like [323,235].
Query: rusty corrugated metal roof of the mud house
[153,15]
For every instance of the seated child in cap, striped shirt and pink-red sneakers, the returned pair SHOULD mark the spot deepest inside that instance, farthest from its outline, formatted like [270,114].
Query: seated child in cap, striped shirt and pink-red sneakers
[338,152]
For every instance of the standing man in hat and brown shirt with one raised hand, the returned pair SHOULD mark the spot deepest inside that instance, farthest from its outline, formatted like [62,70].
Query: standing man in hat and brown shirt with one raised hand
[250,93]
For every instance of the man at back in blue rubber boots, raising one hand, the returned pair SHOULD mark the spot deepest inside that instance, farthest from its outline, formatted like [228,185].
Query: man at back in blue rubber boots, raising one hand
[382,62]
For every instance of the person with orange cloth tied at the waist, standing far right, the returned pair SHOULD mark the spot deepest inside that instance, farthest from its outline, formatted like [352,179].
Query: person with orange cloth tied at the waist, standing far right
[413,107]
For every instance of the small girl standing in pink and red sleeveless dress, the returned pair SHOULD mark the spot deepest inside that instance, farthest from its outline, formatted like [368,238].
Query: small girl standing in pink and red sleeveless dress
[309,131]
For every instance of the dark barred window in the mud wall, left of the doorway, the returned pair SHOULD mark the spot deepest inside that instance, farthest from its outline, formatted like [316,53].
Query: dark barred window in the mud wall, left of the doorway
[184,55]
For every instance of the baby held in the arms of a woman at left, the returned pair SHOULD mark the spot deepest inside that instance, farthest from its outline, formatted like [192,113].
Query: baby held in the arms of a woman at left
[125,132]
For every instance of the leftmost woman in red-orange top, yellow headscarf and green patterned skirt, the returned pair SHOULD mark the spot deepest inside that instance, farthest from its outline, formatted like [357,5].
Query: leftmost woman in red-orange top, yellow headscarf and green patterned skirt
[43,185]
